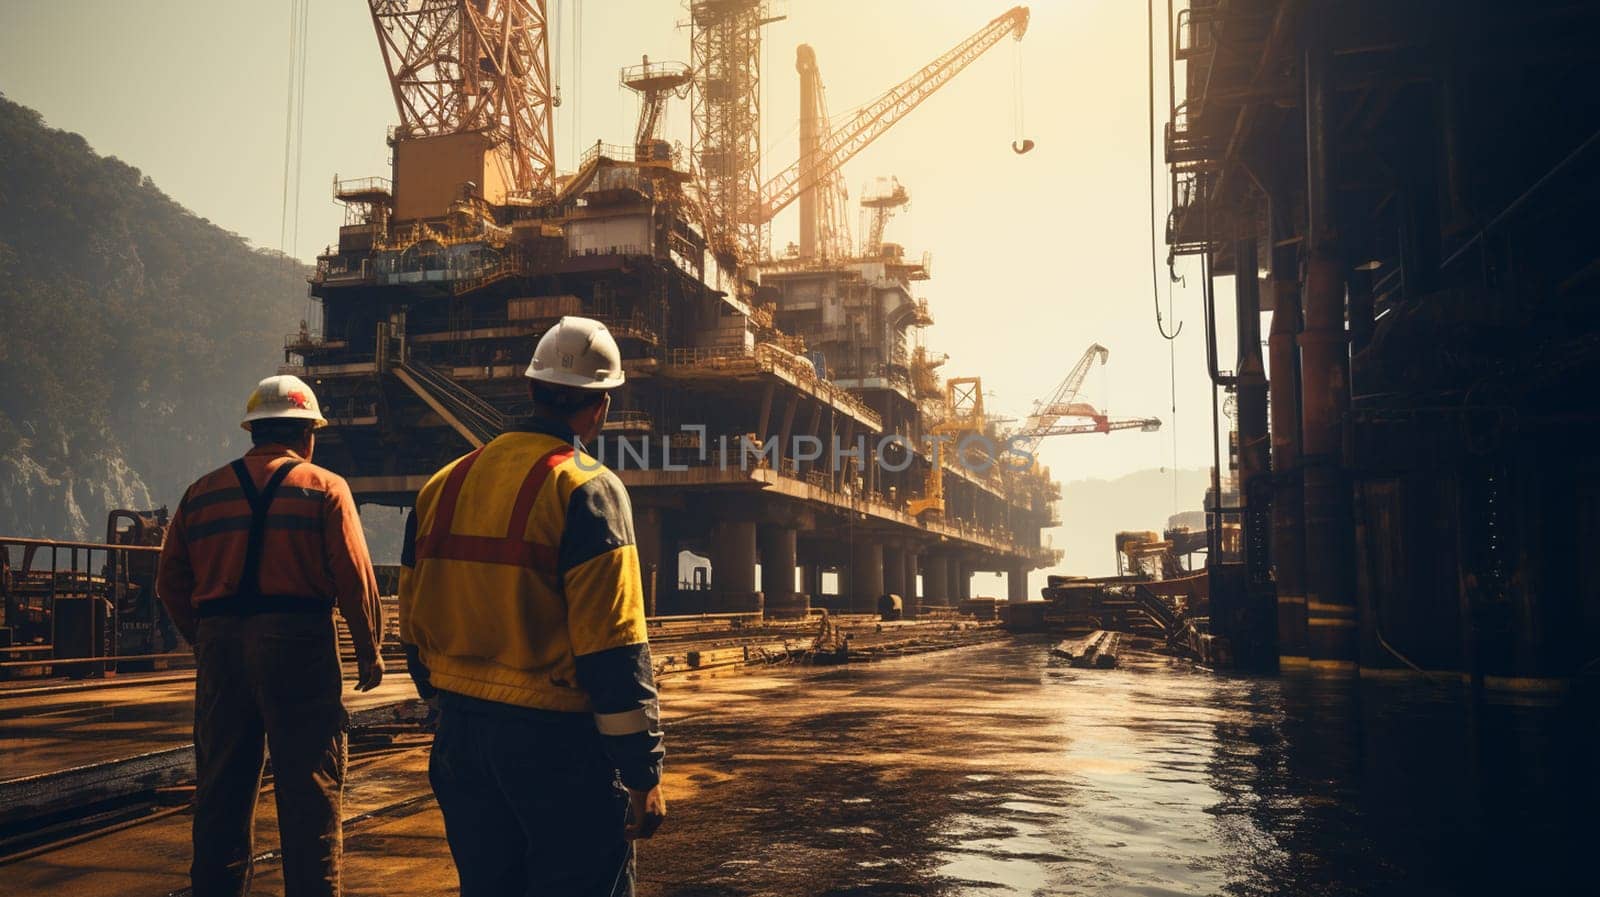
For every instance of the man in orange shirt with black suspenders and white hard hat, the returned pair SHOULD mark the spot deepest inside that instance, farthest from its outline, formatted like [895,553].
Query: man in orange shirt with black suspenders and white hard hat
[255,562]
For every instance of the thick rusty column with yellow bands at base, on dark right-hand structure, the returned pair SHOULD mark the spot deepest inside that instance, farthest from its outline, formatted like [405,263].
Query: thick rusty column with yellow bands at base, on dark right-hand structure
[1326,397]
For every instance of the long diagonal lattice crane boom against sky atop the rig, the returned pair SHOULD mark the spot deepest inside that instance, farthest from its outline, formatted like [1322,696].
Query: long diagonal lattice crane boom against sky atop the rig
[833,151]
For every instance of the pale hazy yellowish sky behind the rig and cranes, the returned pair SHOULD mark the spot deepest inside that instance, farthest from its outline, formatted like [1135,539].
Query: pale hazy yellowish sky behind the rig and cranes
[1034,257]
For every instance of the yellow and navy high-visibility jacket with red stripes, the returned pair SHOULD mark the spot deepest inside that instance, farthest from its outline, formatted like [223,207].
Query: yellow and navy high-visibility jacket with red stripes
[521,586]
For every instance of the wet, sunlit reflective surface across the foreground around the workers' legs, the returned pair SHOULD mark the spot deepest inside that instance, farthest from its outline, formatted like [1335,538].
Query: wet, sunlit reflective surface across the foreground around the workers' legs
[993,771]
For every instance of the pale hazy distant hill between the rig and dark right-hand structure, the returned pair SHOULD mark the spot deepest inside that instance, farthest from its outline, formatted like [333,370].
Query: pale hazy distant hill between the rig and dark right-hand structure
[1095,511]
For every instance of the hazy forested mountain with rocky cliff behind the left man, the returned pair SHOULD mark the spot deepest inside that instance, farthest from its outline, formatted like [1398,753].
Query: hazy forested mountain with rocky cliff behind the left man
[130,335]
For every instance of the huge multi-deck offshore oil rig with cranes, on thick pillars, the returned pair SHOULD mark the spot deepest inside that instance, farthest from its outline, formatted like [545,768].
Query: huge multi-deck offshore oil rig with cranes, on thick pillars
[778,410]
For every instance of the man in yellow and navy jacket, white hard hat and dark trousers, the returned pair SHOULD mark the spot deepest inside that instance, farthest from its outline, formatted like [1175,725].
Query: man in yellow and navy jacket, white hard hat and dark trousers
[524,621]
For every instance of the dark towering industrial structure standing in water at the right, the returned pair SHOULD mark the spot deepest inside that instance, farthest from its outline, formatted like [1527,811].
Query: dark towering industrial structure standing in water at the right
[1410,191]
